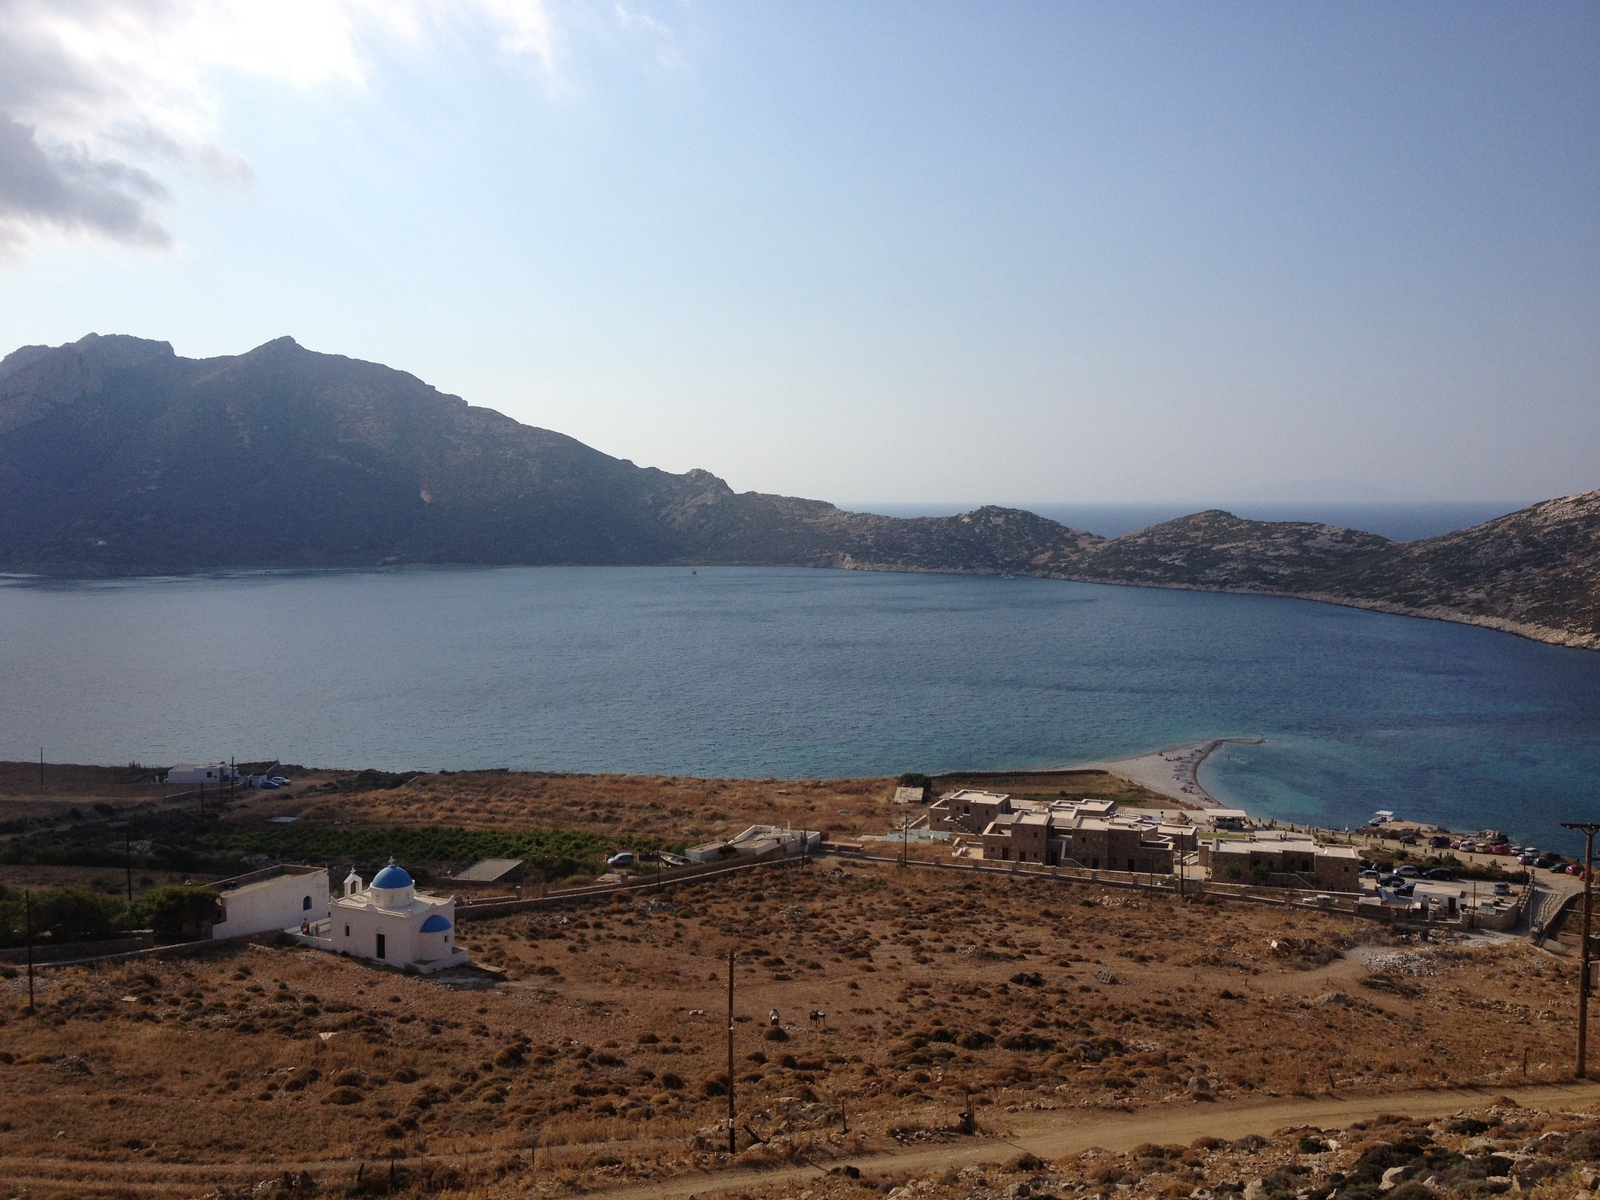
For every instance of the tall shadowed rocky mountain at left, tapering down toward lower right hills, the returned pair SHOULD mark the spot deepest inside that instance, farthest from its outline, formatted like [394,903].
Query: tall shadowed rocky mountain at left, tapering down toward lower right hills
[119,457]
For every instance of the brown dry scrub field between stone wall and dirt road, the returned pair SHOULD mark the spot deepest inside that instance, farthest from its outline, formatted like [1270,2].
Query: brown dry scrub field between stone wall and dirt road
[607,1044]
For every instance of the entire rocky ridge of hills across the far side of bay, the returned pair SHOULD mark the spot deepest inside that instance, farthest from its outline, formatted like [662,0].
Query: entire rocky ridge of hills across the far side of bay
[118,457]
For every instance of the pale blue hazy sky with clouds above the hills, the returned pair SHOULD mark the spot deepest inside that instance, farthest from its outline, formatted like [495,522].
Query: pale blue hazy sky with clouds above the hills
[892,254]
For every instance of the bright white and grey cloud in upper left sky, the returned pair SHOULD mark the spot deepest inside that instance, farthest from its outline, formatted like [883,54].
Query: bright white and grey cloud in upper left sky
[102,98]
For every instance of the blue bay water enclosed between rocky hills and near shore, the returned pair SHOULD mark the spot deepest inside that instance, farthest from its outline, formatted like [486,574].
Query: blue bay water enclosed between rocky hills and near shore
[793,673]
